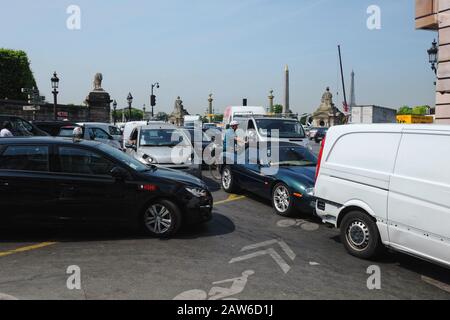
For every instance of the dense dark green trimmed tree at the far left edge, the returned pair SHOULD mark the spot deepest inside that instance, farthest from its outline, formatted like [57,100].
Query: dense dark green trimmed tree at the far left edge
[15,74]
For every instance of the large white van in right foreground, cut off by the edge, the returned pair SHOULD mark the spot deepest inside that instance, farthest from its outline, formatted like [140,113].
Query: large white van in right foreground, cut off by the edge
[387,186]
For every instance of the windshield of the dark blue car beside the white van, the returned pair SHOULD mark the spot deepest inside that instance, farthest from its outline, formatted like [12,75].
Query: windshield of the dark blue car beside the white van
[293,156]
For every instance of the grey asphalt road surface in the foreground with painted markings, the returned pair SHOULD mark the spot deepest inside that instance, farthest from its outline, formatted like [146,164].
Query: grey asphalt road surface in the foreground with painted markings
[268,257]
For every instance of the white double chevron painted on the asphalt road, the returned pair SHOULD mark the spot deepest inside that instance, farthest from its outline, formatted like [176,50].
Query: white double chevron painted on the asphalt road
[275,255]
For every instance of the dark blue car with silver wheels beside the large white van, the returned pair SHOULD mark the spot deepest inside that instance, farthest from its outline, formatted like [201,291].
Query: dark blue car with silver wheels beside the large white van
[286,176]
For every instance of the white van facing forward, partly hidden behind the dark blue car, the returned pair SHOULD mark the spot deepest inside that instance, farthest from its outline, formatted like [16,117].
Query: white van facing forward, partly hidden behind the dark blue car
[261,129]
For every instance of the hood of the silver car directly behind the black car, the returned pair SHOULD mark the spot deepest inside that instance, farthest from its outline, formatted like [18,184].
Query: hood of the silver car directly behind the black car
[168,155]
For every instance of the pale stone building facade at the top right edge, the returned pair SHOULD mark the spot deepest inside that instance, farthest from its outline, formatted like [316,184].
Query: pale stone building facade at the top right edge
[435,15]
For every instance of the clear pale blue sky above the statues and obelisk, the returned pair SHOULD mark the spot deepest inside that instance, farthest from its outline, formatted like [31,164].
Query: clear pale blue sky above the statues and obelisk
[232,48]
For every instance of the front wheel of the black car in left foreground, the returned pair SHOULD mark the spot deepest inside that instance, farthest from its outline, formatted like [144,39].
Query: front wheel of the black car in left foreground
[161,219]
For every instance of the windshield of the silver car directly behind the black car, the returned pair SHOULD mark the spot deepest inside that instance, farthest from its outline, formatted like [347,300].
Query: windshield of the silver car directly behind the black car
[163,138]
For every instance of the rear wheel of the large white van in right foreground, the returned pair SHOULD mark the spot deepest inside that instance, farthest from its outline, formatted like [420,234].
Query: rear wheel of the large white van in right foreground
[360,236]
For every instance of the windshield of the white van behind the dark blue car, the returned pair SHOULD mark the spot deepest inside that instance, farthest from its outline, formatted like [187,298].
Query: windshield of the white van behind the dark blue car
[286,128]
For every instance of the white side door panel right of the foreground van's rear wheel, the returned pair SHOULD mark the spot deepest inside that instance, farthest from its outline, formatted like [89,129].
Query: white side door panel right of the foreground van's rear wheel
[419,197]
